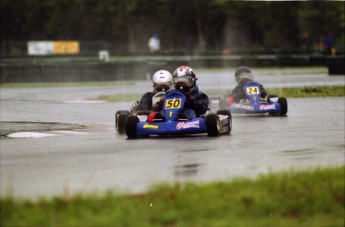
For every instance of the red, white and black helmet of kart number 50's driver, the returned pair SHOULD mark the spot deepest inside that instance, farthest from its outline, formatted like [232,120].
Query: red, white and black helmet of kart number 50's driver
[184,78]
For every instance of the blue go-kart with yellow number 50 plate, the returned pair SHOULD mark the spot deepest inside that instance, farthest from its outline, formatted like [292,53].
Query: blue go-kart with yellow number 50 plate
[174,123]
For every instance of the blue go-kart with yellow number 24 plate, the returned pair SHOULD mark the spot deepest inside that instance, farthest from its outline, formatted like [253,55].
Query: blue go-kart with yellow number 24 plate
[254,104]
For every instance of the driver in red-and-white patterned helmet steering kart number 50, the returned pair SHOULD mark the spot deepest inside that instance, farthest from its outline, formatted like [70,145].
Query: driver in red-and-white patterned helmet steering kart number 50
[197,101]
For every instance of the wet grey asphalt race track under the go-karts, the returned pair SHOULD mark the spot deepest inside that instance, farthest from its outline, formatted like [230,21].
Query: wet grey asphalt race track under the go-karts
[96,158]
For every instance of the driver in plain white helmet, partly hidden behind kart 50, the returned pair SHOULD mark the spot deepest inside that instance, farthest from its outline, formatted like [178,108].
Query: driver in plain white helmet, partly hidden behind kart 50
[162,80]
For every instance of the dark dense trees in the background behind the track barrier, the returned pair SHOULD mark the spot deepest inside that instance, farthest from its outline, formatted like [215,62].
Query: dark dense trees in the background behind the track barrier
[193,26]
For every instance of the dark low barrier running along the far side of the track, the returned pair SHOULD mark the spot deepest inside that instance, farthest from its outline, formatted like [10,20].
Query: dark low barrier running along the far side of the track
[70,69]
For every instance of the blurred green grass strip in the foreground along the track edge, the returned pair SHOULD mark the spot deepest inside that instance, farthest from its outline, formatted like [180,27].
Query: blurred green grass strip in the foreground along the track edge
[295,198]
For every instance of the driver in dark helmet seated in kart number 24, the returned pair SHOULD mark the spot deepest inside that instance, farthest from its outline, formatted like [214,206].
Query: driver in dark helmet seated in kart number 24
[242,76]
